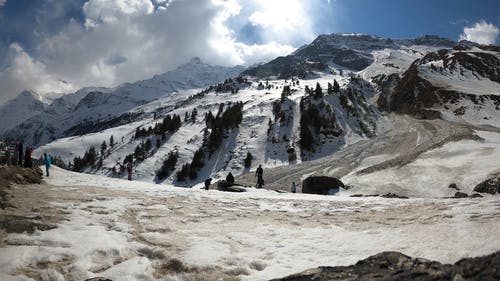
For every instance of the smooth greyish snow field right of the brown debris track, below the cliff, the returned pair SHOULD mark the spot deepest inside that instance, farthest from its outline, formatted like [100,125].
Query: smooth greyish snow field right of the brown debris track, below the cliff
[466,163]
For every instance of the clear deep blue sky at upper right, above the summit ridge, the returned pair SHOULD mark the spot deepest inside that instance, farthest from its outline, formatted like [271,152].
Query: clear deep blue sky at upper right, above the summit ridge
[409,19]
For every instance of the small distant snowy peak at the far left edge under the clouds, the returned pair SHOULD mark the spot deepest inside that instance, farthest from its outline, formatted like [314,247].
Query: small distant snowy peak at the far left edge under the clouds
[26,105]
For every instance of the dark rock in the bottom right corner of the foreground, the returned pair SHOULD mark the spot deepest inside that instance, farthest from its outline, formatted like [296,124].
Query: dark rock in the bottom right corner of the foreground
[396,266]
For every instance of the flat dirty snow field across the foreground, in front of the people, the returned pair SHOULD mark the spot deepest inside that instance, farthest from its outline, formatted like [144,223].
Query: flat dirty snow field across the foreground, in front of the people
[131,230]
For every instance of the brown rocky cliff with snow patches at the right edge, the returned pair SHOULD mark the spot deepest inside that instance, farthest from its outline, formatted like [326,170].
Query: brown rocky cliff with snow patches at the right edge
[446,81]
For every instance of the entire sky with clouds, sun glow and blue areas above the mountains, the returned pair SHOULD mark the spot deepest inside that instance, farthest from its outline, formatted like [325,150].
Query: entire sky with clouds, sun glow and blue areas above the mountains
[60,45]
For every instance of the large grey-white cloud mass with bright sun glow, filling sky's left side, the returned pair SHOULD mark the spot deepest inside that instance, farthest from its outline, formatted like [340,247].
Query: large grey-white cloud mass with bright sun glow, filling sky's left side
[128,40]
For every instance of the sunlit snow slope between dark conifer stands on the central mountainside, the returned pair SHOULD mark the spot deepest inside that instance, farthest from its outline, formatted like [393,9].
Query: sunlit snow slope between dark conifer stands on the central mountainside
[252,135]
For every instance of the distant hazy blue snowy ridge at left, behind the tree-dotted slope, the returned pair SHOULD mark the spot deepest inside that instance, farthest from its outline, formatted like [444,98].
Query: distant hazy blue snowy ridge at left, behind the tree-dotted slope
[92,109]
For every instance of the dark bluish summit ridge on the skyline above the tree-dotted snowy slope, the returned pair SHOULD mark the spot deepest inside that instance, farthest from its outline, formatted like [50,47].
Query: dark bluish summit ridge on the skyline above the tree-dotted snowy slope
[343,51]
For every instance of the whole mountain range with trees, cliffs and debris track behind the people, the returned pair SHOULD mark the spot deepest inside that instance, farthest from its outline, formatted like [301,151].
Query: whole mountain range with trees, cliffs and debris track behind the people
[326,109]
